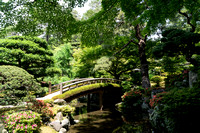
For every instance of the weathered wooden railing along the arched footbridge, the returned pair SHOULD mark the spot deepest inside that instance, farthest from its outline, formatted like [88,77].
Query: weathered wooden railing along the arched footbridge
[69,85]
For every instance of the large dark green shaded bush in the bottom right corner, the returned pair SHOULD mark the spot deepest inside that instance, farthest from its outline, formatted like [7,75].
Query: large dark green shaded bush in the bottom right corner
[178,111]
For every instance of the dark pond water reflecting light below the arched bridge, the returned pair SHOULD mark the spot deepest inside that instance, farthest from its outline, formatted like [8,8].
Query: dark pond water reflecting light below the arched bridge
[107,121]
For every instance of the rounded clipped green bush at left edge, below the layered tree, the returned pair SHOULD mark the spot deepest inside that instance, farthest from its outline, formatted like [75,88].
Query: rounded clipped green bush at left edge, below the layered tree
[15,84]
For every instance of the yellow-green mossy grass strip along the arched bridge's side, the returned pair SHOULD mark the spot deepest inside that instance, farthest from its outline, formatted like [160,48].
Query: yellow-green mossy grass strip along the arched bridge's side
[85,88]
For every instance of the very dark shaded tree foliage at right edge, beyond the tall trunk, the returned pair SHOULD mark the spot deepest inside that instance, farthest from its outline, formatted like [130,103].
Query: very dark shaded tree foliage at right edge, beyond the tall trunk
[178,42]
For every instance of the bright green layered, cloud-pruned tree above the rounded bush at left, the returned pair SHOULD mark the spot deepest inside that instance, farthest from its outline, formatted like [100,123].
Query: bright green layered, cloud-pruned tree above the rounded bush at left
[31,54]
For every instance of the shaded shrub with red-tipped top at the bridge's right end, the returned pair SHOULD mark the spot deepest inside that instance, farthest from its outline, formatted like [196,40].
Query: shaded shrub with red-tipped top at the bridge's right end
[131,105]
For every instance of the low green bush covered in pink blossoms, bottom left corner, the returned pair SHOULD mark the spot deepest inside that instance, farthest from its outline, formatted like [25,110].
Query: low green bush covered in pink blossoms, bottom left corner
[22,122]
